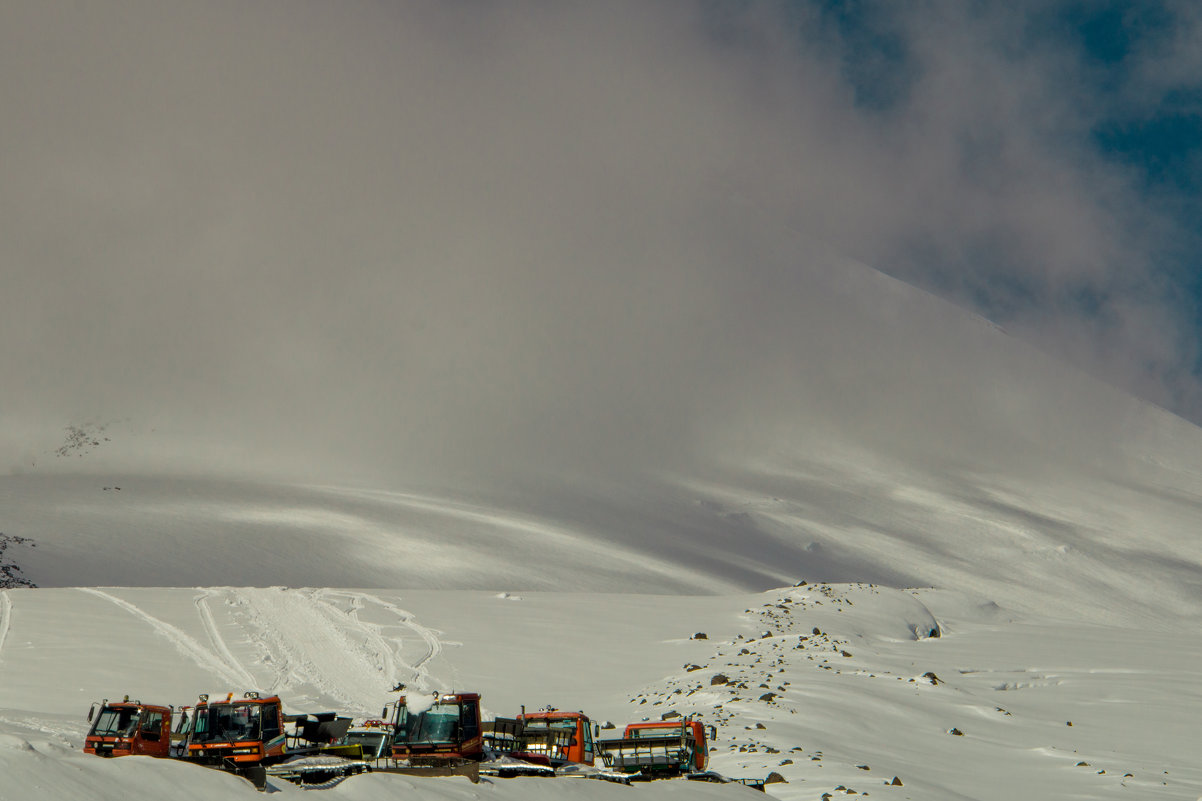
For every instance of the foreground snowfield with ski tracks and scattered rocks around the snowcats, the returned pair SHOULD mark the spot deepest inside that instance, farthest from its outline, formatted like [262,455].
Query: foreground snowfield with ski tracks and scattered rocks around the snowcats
[832,686]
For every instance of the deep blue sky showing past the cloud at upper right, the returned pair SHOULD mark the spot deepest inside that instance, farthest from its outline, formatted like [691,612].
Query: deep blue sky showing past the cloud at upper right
[1127,74]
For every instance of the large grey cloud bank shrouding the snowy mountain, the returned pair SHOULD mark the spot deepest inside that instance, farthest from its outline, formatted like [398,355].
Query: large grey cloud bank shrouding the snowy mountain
[437,242]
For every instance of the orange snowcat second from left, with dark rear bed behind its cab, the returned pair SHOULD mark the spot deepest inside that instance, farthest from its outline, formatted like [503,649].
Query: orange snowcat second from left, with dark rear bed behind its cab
[253,738]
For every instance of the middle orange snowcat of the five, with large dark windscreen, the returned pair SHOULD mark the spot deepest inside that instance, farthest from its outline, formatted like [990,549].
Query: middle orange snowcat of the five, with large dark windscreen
[435,735]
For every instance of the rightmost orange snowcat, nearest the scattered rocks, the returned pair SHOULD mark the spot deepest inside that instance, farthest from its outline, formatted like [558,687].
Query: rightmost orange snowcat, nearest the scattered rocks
[660,750]
